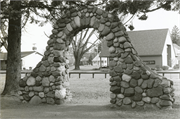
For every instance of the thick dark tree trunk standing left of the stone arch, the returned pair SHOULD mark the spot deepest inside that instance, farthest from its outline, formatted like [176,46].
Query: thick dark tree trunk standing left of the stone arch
[13,71]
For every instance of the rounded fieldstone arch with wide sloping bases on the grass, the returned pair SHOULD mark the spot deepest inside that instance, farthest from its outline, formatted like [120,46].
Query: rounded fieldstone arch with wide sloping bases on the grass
[132,83]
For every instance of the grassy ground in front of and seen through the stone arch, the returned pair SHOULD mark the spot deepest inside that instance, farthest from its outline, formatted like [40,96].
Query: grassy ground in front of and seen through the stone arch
[90,100]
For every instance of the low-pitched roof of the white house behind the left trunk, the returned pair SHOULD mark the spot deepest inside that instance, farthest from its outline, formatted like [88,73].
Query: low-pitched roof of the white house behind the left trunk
[3,56]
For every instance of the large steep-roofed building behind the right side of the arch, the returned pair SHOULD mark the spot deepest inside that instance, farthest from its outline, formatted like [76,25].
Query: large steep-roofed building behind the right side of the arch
[154,47]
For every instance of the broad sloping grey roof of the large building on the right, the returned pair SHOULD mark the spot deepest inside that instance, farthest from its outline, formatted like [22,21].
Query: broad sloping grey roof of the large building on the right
[146,42]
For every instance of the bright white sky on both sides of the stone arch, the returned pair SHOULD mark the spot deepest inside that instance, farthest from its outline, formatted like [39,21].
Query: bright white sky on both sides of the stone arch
[34,34]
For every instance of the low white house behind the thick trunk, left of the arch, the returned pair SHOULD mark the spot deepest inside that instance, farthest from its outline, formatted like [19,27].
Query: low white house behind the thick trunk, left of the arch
[29,59]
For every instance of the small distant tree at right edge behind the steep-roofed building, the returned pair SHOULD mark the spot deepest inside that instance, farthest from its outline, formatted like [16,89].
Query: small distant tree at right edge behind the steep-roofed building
[175,35]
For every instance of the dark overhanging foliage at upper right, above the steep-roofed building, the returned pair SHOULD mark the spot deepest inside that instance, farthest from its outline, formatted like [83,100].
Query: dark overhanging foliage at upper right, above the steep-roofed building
[139,8]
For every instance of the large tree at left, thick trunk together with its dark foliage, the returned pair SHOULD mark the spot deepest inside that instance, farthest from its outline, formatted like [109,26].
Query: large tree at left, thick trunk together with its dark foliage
[11,13]
